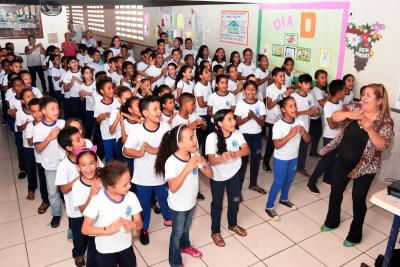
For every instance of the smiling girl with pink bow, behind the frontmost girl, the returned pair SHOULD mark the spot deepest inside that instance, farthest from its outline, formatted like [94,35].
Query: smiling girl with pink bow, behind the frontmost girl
[83,190]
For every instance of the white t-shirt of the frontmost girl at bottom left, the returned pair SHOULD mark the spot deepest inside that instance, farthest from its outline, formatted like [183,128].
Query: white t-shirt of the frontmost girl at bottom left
[105,211]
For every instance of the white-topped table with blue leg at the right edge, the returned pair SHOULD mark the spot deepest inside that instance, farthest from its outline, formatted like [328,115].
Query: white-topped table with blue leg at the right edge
[391,204]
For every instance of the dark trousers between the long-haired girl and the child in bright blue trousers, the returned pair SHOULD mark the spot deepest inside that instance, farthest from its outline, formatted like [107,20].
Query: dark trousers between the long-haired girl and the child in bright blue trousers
[254,143]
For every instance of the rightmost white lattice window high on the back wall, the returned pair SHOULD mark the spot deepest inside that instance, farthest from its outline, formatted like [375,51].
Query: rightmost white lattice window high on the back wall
[129,21]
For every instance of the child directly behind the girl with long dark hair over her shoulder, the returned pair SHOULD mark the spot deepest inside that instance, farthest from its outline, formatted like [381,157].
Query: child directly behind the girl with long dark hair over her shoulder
[222,98]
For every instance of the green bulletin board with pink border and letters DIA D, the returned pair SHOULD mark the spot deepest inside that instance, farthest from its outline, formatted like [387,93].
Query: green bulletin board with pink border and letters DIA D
[313,34]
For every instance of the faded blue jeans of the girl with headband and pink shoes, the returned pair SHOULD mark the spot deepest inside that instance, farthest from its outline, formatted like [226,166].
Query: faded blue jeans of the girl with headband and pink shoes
[181,221]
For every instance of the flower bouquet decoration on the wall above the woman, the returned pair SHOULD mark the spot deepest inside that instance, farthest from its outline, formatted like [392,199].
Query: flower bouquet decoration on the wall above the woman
[360,40]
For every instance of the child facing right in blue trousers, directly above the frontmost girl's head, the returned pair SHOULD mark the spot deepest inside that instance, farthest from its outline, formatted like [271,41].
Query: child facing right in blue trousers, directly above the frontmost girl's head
[101,113]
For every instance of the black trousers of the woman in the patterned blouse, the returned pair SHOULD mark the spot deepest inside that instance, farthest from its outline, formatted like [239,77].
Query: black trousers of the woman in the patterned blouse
[361,187]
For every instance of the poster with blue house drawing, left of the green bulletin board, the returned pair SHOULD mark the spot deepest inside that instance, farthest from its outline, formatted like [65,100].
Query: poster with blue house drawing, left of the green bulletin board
[234,26]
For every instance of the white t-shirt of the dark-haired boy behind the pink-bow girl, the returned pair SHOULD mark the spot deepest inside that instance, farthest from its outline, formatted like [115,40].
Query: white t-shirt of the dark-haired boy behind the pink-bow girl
[67,171]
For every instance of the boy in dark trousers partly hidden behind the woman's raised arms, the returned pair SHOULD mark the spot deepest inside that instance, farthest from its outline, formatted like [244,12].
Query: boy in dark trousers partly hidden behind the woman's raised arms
[326,164]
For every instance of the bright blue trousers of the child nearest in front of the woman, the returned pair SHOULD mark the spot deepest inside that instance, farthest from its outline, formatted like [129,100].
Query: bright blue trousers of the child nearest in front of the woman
[284,171]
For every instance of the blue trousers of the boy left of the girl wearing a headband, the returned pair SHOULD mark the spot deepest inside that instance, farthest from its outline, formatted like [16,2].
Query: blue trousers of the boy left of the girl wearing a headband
[144,193]
